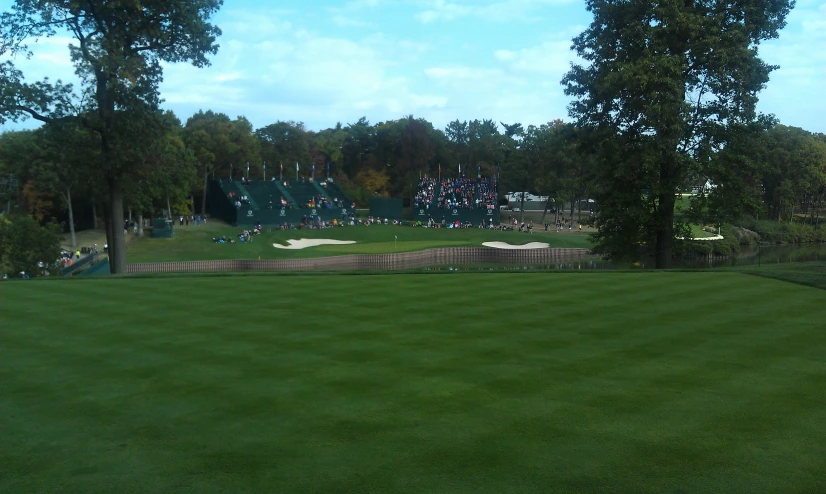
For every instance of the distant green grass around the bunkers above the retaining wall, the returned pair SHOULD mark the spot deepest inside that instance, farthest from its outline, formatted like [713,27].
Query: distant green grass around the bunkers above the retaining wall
[193,243]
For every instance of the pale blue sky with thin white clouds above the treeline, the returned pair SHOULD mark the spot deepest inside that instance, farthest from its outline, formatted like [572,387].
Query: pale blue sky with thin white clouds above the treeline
[326,61]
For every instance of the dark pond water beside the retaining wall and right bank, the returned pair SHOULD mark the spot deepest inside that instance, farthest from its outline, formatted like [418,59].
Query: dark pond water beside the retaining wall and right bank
[772,254]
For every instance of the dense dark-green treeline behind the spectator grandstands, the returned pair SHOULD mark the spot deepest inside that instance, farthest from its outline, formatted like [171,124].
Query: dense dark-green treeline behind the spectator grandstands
[55,170]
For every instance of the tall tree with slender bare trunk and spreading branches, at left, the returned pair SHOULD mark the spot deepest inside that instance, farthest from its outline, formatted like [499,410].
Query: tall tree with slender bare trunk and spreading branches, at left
[117,49]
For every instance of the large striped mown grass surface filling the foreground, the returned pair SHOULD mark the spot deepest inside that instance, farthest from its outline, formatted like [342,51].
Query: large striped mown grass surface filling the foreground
[568,382]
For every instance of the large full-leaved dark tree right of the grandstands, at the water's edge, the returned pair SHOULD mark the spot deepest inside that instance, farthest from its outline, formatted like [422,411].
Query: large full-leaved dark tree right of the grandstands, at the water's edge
[666,85]
